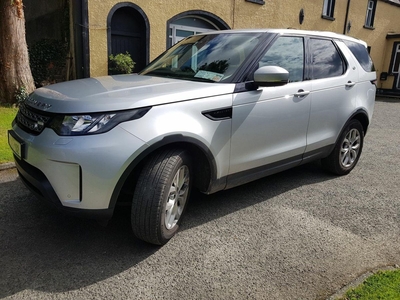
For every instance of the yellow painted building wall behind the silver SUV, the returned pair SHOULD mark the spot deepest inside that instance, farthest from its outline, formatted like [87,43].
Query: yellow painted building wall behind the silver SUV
[241,14]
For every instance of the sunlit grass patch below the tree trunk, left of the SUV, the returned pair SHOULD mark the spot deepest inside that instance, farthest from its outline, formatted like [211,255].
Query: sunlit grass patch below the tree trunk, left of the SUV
[7,114]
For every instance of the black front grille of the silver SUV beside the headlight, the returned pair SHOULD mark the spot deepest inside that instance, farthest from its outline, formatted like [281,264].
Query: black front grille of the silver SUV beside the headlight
[30,120]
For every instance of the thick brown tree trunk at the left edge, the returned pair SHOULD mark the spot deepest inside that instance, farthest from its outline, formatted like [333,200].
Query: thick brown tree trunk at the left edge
[15,72]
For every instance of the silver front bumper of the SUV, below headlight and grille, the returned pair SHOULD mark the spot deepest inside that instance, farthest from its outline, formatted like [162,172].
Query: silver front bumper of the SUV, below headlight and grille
[78,174]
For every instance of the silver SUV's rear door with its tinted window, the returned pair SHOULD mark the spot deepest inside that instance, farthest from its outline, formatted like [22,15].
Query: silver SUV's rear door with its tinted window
[334,85]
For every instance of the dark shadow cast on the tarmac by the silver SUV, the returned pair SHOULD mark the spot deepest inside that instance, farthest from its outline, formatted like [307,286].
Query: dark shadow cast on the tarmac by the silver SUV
[42,249]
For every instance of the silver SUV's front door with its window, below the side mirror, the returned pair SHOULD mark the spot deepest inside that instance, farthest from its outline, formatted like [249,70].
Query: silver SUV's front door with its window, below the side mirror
[269,125]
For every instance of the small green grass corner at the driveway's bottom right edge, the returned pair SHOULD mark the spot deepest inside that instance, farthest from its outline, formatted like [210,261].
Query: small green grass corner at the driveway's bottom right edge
[382,285]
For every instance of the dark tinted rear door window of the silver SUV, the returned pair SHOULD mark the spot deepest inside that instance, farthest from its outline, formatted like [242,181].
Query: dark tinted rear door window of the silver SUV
[326,60]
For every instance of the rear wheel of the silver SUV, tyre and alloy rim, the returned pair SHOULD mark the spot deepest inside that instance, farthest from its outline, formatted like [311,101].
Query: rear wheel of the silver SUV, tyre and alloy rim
[347,151]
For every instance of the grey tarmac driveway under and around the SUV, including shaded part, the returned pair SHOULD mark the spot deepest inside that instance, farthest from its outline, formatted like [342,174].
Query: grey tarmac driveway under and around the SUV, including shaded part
[300,234]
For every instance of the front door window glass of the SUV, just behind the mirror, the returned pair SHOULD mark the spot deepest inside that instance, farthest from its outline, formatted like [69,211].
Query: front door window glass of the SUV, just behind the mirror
[286,52]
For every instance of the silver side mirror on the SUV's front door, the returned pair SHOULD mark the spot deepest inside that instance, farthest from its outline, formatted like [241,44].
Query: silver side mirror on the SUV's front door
[271,76]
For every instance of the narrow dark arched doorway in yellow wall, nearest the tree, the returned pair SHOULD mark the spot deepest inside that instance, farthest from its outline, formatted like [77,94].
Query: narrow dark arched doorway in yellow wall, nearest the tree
[128,31]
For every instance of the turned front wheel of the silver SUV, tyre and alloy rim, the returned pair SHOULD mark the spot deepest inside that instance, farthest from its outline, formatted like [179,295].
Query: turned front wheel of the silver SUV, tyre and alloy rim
[161,195]
